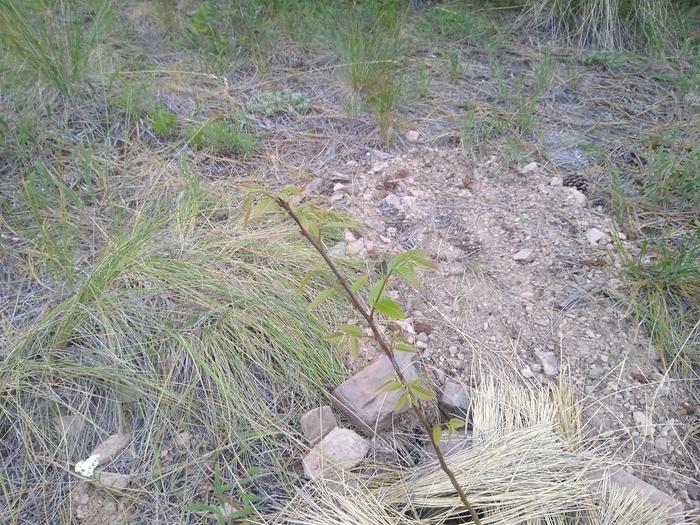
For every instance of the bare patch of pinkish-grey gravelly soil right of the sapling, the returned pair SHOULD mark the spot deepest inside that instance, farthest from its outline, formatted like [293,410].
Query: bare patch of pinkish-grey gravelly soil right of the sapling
[527,266]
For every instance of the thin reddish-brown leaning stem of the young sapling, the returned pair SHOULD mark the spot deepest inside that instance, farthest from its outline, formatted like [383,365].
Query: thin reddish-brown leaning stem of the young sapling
[386,348]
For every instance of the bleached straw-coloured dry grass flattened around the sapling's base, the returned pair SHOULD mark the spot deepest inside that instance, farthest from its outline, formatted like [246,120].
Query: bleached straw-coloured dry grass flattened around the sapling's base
[521,468]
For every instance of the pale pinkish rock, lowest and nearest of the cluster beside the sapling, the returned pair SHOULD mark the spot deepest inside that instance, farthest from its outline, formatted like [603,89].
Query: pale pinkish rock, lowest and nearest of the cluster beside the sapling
[341,449]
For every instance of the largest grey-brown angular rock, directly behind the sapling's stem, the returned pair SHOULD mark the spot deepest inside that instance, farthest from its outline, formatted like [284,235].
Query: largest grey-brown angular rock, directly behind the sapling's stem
[362,398]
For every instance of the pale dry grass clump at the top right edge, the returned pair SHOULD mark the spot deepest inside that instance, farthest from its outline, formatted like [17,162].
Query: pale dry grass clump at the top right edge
[606,24]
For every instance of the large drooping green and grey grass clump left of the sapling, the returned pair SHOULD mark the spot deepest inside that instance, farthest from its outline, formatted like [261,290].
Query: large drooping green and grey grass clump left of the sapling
[187,322]
